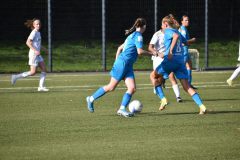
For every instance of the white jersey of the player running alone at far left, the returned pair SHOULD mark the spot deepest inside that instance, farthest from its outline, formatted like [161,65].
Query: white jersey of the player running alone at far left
[35,36]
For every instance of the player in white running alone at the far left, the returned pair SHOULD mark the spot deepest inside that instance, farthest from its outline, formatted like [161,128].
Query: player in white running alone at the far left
[35,58]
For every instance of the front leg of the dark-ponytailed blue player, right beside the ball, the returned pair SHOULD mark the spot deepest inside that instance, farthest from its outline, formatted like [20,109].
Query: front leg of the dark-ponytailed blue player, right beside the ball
[131,88]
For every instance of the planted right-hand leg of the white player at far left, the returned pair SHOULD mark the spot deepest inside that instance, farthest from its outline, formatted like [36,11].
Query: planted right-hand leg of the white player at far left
[42,87]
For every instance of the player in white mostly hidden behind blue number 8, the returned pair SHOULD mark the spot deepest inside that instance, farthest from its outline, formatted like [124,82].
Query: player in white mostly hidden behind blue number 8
[157,45]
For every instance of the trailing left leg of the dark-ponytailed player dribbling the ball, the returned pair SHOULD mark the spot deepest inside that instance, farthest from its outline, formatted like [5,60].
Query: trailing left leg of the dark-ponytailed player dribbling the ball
[100,92]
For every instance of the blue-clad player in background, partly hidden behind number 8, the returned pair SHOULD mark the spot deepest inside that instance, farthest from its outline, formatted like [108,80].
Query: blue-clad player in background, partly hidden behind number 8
[183,30]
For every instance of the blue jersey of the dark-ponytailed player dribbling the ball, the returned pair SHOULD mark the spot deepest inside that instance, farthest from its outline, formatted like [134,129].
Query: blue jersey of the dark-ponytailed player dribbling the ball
[129,53]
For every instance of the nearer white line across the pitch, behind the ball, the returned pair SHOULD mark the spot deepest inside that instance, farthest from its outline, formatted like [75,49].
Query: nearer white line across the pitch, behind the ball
[120,87]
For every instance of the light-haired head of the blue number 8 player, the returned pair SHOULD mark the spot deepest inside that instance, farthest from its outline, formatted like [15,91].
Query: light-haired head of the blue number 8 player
[169,21]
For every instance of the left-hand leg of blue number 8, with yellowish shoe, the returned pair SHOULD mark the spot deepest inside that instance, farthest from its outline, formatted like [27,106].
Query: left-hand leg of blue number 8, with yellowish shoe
[156,80]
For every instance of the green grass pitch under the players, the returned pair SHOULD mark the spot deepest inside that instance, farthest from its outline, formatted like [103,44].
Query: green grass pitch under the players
[57,125]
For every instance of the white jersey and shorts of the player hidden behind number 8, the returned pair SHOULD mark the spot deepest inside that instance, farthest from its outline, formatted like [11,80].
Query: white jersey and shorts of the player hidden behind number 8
[158,42]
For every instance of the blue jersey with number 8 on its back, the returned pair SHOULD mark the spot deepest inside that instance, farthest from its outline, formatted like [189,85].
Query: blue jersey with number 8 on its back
[178,48]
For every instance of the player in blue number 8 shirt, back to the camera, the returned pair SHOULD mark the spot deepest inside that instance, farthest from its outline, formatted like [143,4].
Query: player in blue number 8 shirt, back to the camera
[173,61]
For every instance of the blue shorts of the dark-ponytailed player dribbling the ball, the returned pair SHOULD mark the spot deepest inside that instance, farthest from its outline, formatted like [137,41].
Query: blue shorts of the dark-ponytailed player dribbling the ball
[121,70]
